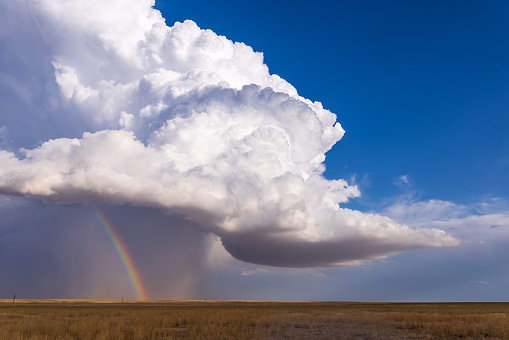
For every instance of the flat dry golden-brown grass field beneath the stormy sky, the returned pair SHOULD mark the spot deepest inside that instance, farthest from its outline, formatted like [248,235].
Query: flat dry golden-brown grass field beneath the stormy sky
[74,319]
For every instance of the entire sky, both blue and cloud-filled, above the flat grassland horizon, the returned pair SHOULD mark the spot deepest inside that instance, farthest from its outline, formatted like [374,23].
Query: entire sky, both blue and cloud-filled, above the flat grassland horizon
[214,184]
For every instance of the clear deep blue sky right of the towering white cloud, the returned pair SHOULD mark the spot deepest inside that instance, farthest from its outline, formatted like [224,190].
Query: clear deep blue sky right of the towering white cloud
[421,87]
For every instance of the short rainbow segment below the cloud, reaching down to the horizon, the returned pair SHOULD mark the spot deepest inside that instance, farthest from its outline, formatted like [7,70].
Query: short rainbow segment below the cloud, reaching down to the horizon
[121,250]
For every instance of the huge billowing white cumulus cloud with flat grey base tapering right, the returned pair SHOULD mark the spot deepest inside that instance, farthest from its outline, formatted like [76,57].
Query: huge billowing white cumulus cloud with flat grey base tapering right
[180,119]
